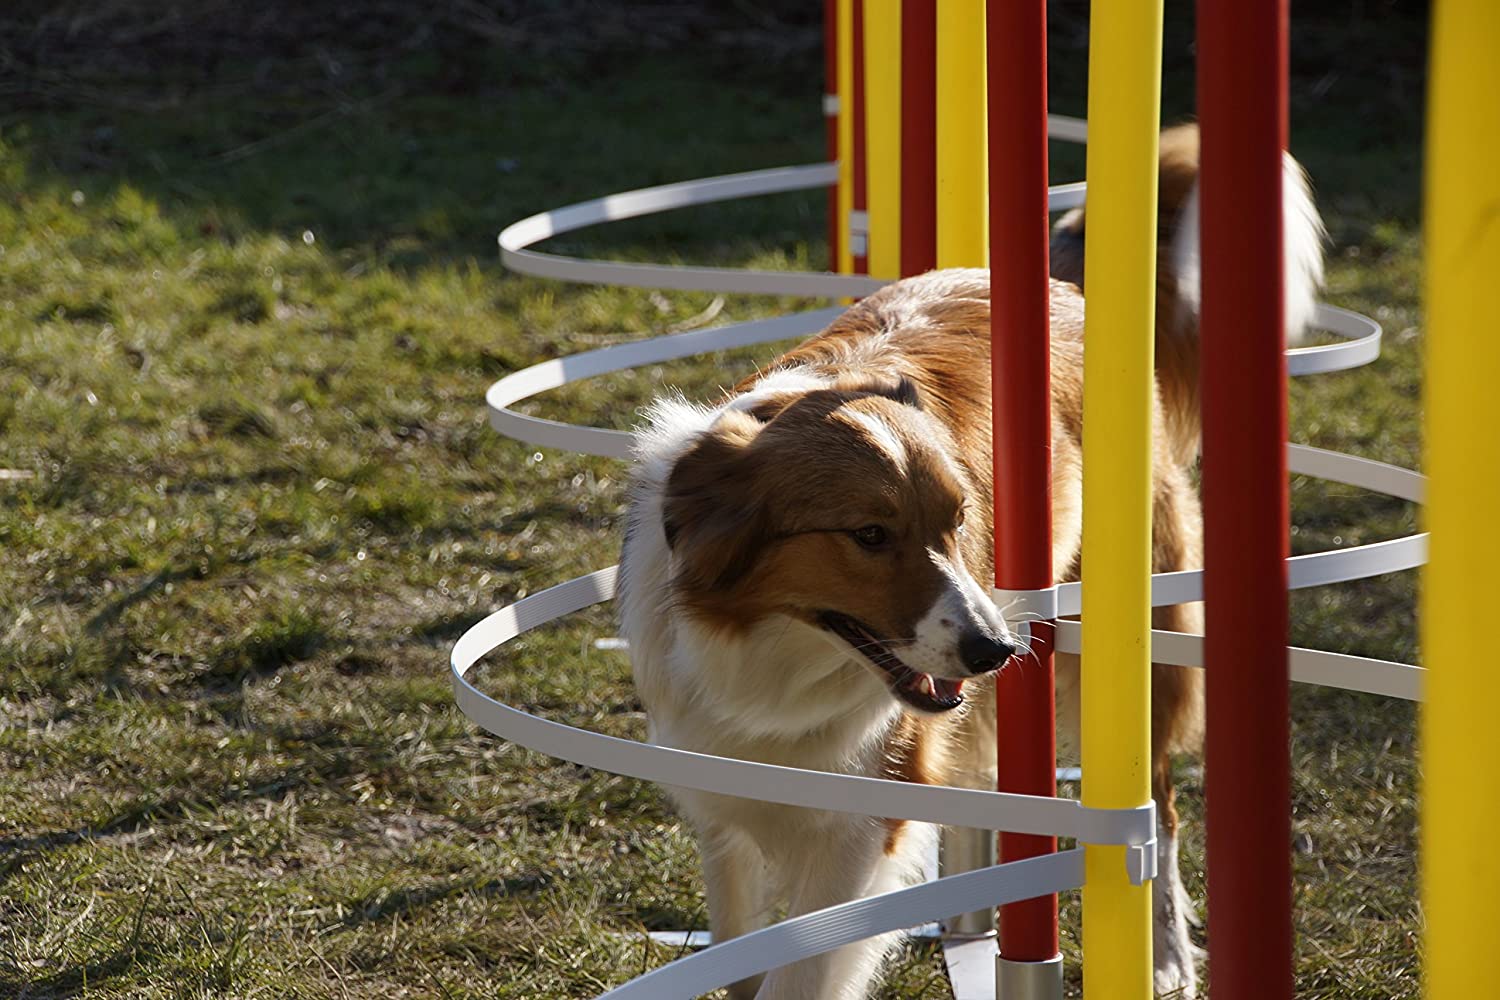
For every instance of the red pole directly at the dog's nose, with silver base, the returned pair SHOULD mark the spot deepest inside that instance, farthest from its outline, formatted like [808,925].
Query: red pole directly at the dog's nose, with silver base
[1021,386]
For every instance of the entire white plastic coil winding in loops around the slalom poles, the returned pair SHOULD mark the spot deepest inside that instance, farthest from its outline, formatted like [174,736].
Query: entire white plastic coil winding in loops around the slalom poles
[823,932]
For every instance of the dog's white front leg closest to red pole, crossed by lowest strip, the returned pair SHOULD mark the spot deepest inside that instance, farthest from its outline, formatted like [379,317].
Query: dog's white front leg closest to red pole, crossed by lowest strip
[842,864]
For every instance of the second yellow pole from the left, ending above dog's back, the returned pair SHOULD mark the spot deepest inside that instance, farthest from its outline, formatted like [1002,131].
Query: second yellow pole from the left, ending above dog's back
[883,134]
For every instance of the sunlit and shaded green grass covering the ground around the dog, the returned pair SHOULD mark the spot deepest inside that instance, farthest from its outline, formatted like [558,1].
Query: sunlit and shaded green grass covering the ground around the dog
[248,310]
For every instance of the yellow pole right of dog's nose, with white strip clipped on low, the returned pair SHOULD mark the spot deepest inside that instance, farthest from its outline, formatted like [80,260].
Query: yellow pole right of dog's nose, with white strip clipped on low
[1120,260]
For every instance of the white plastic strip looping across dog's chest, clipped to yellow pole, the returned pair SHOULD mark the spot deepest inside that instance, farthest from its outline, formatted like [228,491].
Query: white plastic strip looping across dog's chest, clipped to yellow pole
[745,779]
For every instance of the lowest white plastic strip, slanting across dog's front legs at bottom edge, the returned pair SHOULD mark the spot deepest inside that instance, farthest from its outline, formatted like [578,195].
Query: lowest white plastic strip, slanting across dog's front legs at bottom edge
[826,930]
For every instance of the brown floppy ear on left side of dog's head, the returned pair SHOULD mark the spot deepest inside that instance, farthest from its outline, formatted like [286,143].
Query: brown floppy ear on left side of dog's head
[712,513]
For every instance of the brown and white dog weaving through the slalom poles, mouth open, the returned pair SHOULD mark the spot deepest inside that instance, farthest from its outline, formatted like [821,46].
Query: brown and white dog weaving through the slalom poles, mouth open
[806,564]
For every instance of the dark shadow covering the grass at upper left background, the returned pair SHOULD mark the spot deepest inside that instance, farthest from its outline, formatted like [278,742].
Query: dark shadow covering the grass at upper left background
[410,133]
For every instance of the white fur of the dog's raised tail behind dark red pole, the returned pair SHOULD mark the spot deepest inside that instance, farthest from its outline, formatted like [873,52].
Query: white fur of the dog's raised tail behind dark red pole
[1303,241]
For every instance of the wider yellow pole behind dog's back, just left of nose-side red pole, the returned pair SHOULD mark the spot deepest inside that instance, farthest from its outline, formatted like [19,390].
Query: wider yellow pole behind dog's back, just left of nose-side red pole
[964,208]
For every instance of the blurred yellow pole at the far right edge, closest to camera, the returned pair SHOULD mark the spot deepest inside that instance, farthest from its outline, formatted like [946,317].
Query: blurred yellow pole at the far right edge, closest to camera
[1462,588]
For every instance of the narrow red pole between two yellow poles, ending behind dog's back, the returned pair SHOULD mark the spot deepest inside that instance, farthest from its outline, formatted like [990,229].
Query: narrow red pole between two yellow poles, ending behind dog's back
[919,137]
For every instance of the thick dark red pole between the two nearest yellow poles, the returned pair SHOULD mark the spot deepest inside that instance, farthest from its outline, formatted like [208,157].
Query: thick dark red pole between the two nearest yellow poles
[1243,110]
